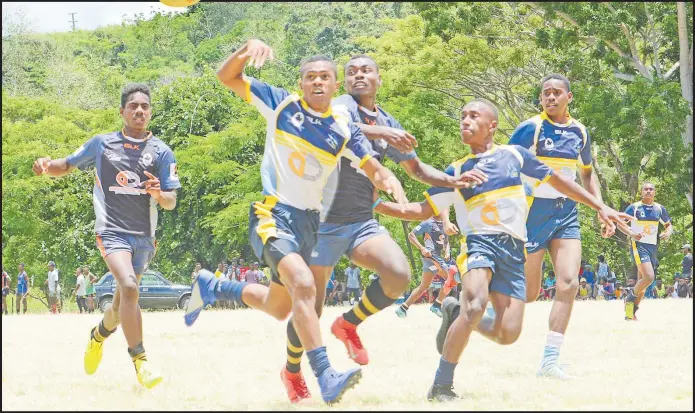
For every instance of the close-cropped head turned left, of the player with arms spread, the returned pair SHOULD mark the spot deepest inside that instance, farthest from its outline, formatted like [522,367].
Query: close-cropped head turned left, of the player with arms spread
[478,121]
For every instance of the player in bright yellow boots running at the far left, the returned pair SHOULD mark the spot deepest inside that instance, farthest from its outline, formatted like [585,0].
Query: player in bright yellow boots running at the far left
[135,171]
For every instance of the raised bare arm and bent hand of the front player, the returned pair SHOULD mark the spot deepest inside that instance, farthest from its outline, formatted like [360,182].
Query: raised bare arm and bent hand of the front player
[255,53]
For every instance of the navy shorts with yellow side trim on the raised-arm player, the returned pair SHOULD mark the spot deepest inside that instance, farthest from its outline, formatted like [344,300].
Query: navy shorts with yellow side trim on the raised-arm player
[277,230]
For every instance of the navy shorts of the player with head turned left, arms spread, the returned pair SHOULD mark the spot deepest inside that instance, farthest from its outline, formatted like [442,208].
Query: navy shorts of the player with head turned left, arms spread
[504,255]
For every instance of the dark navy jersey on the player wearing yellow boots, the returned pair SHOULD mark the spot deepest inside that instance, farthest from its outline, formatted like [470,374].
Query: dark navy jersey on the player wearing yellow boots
[120,202]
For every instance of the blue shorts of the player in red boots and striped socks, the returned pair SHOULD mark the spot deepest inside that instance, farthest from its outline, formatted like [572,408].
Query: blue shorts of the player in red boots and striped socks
[334,240]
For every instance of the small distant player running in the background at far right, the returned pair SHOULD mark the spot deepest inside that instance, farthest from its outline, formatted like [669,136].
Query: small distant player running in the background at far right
[648,215]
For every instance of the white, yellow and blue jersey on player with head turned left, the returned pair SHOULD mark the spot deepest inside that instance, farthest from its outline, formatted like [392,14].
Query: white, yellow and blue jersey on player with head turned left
[498,205]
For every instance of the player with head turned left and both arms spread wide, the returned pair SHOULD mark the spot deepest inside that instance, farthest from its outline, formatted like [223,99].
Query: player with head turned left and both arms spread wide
[492,219]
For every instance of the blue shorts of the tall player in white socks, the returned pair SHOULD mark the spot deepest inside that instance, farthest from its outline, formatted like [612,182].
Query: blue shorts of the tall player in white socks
[549,219]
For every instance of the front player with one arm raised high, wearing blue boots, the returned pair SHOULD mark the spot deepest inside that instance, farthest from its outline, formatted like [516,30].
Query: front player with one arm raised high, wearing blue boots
[304,145]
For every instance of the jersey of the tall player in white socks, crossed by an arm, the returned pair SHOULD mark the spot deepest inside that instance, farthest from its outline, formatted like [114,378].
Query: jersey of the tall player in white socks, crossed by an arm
[563,147]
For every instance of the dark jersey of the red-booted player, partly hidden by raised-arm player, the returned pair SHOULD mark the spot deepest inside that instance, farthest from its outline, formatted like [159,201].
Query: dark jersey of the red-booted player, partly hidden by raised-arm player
[349,194]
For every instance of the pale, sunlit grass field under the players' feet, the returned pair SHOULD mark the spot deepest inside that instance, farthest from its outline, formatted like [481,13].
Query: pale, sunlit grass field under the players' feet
[230,360]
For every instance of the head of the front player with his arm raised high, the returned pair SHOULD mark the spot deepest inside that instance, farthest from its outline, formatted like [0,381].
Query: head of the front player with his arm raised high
[319,81]
